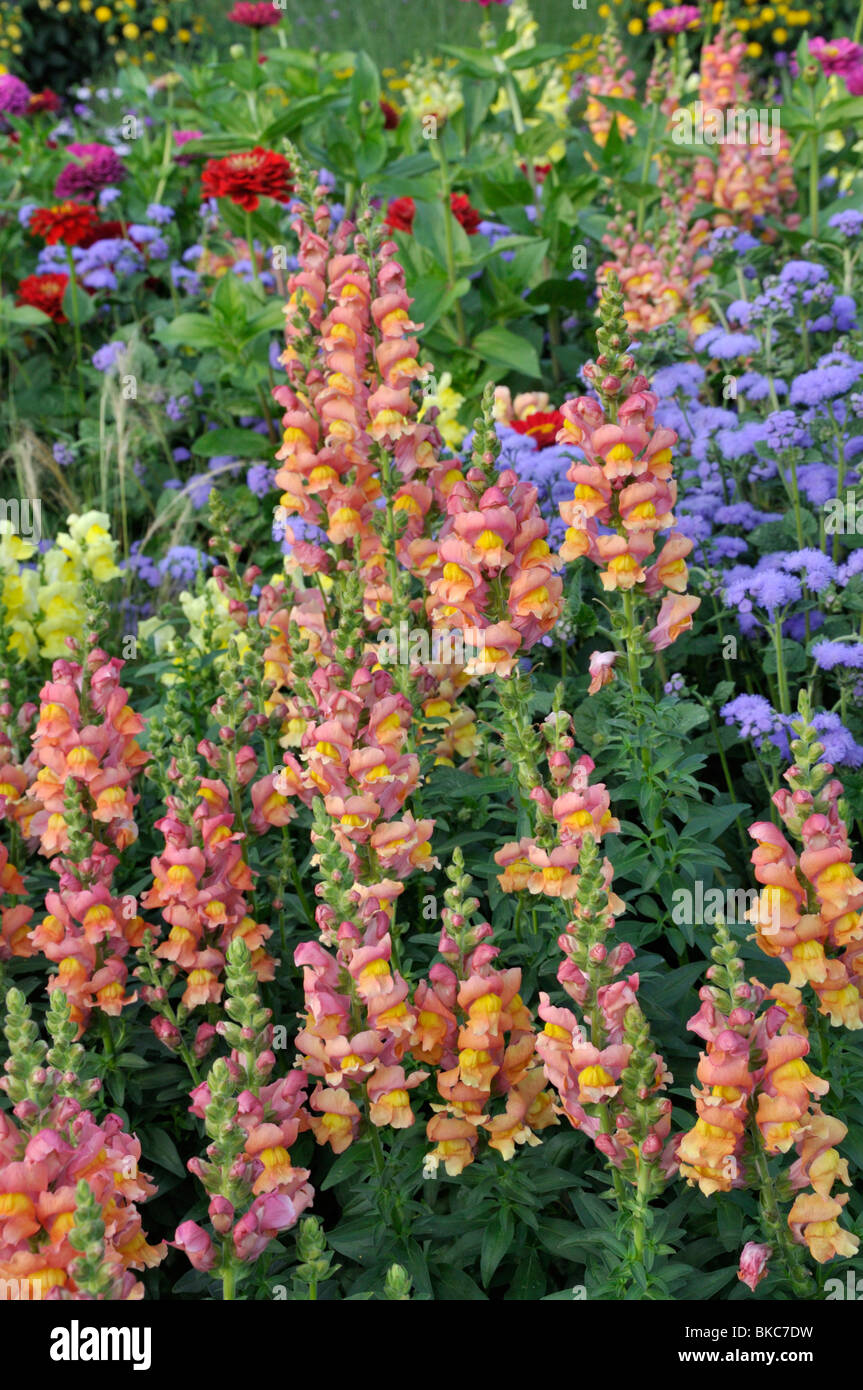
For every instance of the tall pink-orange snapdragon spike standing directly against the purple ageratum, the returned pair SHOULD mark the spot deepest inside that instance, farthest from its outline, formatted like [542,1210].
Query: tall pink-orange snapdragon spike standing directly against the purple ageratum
[625,484]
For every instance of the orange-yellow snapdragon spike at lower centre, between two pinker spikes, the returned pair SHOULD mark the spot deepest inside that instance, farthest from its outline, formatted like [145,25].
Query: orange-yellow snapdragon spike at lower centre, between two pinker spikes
[475,1028]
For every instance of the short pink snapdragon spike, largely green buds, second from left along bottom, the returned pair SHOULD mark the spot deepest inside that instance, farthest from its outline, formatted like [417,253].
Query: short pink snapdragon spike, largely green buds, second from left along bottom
[252,1122]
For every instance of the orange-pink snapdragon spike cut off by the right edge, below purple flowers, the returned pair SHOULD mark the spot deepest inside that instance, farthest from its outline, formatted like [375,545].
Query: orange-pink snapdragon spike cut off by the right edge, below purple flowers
[811,908]
